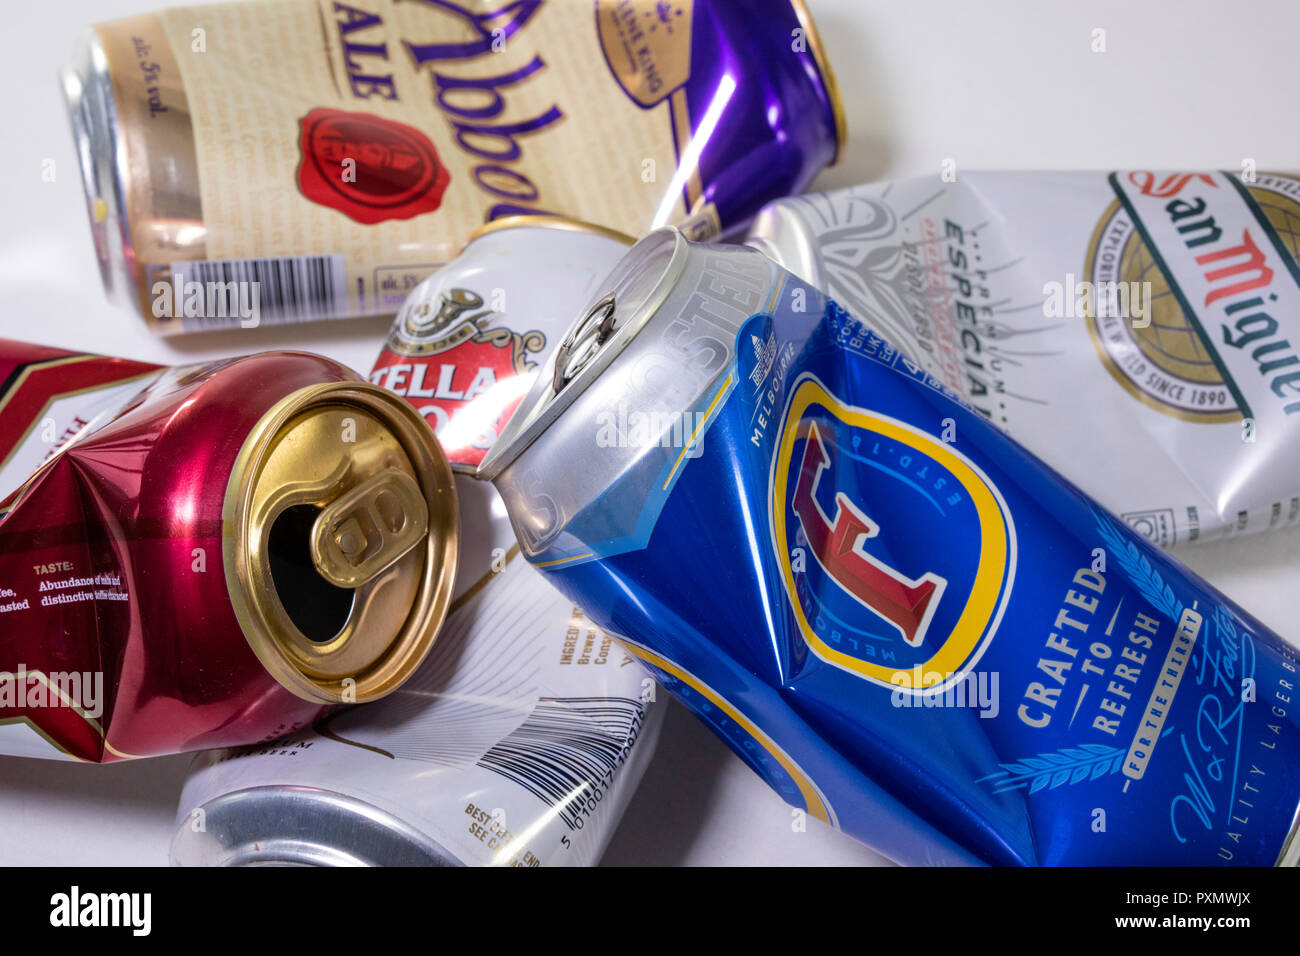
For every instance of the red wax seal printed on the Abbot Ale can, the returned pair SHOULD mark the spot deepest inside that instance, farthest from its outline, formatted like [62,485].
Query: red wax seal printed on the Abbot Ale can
[369,168]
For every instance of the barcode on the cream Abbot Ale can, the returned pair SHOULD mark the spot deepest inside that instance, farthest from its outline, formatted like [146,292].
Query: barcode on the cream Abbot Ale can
[289,289]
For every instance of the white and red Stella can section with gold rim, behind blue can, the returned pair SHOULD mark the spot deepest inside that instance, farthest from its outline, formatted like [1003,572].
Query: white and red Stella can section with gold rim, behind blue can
[467,341]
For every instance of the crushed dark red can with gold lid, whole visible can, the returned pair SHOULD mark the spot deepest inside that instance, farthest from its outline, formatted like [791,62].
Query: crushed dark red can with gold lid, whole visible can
[211,555]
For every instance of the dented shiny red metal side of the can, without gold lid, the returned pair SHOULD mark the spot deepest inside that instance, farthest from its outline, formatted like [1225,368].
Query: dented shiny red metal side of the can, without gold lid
[141,499]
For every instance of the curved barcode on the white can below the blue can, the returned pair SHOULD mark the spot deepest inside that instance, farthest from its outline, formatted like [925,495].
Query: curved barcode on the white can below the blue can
[567,751]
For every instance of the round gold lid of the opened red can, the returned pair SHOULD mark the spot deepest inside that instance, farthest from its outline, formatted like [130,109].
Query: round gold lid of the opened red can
[341,535]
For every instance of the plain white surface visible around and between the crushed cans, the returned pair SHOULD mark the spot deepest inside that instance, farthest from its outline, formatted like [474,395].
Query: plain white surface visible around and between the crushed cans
[1009,84]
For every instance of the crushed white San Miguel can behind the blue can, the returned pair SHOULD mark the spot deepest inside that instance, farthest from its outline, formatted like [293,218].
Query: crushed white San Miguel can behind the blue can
[1138,331]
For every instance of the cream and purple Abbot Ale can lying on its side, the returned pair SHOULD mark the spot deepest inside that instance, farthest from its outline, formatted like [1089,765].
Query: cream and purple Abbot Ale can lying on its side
[281,161]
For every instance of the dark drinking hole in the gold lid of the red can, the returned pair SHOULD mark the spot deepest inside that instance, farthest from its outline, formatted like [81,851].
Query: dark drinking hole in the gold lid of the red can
[317,607]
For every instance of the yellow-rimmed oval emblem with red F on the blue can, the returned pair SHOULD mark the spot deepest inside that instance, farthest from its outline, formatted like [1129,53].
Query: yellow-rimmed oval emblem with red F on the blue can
[896,551]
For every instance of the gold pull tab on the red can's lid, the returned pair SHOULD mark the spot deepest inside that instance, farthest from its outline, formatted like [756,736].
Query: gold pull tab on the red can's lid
[369,529]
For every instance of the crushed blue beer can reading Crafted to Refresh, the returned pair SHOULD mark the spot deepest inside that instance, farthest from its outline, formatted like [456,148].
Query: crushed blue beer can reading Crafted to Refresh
[908,625]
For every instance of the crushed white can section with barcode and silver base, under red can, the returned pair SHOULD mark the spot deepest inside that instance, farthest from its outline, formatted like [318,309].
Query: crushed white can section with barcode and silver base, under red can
[519,742]
